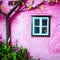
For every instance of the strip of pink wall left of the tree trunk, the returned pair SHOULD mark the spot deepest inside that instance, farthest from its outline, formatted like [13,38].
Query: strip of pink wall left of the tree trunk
[2,28]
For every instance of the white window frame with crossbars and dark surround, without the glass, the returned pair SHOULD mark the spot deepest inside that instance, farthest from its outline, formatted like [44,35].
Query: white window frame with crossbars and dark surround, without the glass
[40,29]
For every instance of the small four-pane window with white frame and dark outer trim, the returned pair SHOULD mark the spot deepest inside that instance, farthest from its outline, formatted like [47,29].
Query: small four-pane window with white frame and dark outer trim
[40,25]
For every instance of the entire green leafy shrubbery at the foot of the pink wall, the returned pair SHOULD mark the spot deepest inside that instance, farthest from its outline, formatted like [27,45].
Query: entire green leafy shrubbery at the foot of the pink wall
[13,53]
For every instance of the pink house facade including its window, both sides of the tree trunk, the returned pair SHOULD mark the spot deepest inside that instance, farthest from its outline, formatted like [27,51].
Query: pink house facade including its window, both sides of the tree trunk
[38,30]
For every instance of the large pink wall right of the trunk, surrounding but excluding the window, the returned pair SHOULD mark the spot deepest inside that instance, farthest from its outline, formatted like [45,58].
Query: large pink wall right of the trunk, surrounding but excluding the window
[38,46]
